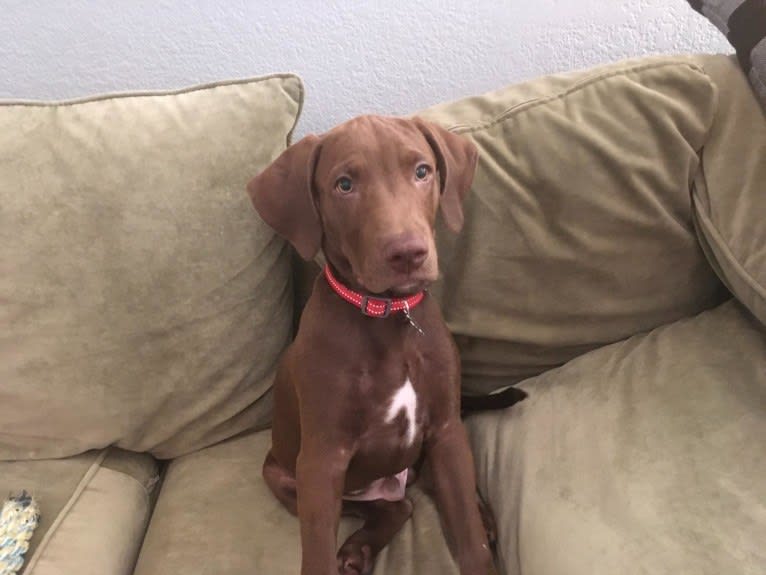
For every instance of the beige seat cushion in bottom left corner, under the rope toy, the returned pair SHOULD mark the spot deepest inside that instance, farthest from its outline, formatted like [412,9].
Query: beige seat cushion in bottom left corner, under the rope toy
[94,510]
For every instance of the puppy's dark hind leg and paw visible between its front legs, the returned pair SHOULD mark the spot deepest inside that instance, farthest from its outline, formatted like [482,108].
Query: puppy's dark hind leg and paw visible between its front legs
[382,520]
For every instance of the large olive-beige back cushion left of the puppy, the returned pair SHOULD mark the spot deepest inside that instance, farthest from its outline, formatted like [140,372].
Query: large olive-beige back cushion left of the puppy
[144,303]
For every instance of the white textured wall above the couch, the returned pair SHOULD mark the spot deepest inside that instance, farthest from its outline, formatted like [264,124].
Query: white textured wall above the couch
[394,56]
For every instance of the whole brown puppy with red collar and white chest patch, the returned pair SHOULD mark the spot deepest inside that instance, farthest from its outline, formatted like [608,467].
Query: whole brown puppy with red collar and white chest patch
[371,385]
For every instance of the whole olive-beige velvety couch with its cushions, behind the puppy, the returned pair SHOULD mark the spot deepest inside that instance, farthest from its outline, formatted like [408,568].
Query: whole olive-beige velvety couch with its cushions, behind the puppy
[613,264]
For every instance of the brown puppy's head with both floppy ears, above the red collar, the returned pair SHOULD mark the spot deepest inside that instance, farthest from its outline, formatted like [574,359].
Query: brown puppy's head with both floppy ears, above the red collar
[367,193]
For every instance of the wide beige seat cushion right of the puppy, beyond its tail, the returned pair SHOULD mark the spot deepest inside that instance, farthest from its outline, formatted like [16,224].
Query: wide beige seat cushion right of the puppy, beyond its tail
[645,456]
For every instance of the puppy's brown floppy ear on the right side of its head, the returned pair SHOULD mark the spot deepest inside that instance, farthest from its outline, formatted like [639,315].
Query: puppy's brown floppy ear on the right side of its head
[456,161]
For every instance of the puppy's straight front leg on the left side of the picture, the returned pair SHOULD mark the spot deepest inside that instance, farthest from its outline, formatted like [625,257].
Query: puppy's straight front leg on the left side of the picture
[320,478]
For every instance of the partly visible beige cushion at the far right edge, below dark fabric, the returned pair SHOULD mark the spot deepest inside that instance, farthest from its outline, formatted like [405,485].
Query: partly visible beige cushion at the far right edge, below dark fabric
[729,198]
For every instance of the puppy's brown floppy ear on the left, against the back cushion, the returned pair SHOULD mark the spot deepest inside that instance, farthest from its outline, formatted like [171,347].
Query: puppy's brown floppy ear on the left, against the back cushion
[283,197]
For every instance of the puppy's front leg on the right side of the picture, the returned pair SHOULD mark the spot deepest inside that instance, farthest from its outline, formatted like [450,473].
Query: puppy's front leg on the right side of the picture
[454,488]
